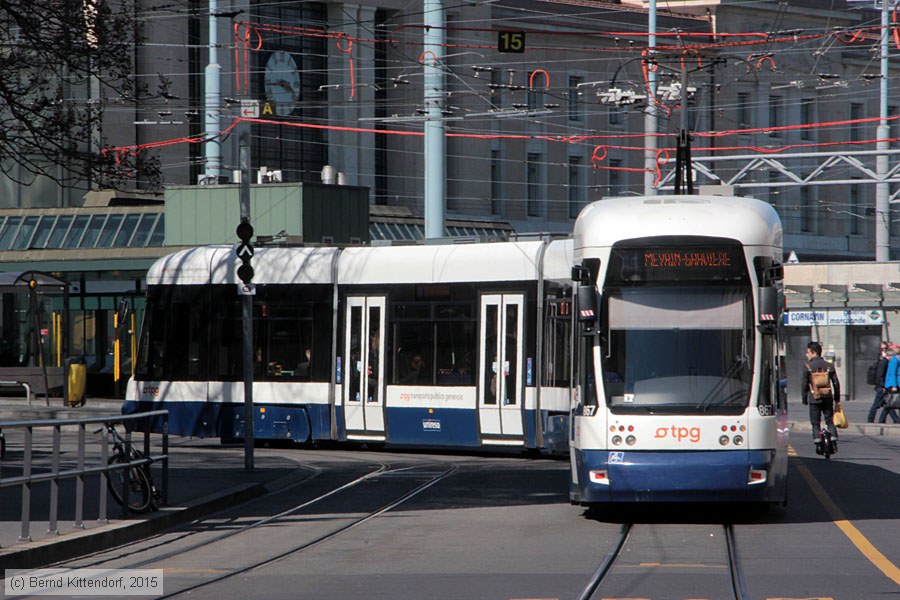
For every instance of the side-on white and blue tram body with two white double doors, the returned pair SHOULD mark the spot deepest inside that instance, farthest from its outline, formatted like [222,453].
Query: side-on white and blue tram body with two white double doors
[453,345]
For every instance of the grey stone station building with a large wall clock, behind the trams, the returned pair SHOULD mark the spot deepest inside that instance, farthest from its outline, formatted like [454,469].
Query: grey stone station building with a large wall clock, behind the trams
[530,140]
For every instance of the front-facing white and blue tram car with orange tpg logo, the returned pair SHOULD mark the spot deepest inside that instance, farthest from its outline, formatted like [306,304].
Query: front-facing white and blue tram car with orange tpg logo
[677,395]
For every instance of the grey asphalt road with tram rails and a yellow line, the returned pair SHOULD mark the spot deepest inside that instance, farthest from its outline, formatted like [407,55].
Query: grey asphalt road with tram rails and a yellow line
[381,525]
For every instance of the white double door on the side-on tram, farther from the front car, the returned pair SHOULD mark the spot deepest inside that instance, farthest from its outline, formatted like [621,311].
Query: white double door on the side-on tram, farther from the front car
[363,397]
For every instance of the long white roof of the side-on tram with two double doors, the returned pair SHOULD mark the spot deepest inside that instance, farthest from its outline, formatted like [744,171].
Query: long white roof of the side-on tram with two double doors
[429,263]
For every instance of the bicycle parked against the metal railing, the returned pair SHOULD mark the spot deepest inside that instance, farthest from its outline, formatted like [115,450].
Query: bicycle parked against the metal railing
[143,496]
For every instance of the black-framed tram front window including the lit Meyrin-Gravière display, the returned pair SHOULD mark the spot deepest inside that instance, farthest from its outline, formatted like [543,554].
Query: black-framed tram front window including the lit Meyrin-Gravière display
[678,329]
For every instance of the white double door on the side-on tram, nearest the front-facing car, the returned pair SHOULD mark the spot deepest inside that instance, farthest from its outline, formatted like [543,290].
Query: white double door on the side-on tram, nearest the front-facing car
[501,403]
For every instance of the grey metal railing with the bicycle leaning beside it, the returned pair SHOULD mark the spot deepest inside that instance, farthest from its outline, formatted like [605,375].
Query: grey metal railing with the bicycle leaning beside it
[54,475]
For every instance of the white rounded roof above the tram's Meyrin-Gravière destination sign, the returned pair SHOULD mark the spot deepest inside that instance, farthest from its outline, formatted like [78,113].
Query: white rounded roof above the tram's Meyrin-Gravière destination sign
[605,222]
